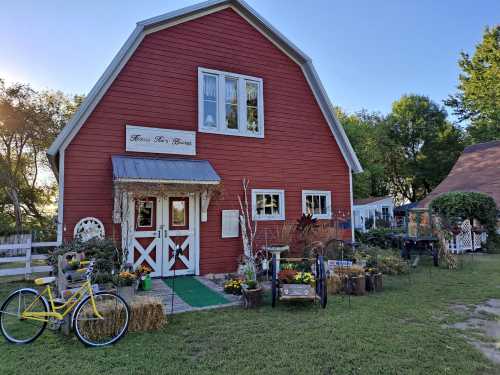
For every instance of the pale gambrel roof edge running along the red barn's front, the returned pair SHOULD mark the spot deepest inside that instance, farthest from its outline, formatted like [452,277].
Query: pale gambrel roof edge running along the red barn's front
[154,24]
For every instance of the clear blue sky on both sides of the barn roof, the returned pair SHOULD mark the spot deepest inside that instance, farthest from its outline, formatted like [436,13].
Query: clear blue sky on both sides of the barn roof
[367,53]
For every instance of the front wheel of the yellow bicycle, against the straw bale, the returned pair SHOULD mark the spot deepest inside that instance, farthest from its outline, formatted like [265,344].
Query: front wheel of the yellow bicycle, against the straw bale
[93,330]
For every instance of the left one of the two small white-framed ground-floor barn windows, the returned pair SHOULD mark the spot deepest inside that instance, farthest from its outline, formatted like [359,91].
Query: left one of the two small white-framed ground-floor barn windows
[268,204]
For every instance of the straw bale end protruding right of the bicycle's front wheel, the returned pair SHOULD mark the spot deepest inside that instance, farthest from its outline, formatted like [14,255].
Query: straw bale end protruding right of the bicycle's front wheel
[146,314]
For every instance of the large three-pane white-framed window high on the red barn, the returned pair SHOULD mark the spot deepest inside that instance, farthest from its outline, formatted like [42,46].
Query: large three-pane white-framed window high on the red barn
[230,103]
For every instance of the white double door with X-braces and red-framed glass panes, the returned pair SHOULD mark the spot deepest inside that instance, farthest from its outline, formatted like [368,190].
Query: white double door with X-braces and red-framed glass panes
[163,225]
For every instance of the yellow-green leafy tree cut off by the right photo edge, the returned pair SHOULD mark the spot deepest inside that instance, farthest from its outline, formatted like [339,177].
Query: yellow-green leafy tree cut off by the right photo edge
[478,99]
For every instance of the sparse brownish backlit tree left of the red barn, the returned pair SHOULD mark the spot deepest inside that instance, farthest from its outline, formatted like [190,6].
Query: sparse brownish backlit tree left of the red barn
[29,122]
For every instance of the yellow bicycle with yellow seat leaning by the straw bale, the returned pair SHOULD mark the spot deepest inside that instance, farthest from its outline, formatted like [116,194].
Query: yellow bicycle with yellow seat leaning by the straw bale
[98,318]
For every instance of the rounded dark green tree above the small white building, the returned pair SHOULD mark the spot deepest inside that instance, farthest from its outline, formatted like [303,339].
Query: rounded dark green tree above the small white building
[419,146]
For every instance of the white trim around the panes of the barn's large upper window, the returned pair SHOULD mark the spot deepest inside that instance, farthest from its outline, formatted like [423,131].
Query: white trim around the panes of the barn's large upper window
[221,109]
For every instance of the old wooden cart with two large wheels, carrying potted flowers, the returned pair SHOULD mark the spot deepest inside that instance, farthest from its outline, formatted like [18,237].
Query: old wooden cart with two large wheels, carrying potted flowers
[300,292]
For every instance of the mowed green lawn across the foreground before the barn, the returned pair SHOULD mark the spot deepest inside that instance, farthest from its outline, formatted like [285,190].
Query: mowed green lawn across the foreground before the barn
[399,331]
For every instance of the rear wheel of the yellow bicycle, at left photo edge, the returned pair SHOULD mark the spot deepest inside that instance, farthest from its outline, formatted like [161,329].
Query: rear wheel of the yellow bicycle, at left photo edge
[16,329]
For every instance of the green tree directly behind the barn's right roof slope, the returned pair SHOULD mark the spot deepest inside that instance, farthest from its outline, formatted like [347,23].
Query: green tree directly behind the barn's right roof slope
[363,131]
